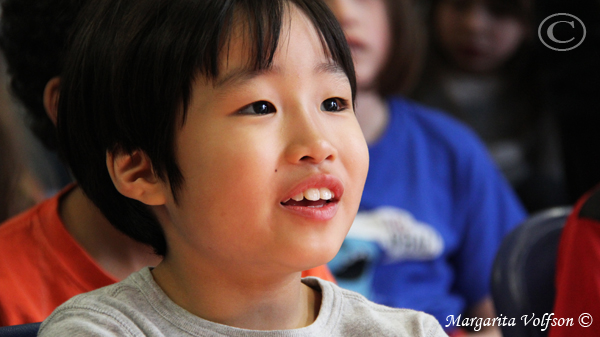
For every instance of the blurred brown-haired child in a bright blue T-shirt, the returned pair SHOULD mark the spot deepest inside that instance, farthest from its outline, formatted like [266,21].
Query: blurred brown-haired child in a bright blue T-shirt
[435,208]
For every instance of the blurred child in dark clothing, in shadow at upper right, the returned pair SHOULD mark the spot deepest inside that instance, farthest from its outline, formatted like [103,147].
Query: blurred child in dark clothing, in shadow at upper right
[481,71]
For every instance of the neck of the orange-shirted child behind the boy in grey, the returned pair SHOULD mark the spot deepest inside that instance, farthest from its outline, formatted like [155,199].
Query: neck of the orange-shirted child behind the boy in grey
[115,253]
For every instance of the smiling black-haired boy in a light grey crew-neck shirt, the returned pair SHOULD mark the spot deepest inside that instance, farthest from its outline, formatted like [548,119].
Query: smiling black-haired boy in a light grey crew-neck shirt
[223,134]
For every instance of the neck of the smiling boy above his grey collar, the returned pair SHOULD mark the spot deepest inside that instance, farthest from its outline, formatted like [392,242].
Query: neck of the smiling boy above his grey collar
[233,298]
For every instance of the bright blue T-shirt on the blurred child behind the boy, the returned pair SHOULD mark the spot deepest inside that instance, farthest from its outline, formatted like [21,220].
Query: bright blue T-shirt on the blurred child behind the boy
[434,211]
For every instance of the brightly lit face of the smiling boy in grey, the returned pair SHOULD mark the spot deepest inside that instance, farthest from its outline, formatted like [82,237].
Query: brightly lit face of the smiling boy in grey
[255,140]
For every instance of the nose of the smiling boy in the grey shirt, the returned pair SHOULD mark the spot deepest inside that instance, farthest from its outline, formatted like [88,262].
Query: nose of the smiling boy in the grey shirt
[308,138]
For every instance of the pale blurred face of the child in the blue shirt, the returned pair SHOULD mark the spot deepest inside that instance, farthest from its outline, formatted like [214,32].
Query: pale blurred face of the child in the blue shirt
[366,26]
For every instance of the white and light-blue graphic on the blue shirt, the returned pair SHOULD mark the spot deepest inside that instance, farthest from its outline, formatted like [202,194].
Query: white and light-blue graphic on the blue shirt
[383,235]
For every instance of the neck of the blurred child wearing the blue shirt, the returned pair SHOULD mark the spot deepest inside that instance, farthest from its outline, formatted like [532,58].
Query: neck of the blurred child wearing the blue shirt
[372,114]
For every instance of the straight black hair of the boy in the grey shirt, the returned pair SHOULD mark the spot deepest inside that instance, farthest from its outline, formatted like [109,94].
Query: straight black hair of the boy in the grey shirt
[128,81]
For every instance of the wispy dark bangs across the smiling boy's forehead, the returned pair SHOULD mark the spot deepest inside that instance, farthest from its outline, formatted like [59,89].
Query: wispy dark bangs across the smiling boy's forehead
[259,25]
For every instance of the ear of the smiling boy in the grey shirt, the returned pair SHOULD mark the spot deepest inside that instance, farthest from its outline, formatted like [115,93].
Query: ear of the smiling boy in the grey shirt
[133,176]
